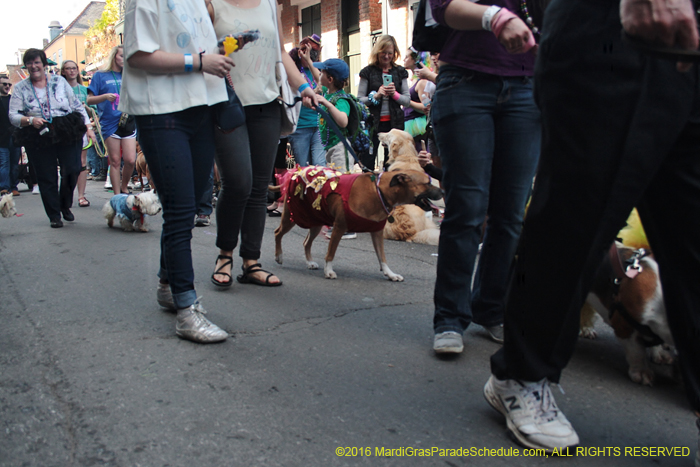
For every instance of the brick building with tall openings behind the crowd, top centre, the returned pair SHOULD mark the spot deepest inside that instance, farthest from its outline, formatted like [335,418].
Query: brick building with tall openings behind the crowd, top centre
[348,28]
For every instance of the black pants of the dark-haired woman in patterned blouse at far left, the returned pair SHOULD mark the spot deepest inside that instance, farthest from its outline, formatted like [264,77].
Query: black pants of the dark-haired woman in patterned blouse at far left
[45,162]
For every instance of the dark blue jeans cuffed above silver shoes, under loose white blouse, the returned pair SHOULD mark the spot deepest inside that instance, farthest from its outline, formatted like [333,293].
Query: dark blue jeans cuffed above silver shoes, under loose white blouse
[179,149]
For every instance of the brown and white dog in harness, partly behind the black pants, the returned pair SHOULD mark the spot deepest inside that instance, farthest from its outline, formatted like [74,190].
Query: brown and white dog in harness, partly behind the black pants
[634,308]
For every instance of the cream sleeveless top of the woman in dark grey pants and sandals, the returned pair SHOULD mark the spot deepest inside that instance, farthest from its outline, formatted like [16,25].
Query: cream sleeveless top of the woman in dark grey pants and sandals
[254,74]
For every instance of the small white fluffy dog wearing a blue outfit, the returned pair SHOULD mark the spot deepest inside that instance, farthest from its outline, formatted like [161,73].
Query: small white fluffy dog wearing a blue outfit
[132,210]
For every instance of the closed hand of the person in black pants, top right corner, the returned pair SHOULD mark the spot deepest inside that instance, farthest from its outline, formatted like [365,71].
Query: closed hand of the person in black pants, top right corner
[671,22]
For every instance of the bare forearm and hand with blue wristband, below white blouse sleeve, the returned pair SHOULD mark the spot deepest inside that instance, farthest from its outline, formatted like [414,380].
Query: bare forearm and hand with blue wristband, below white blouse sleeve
[168,62]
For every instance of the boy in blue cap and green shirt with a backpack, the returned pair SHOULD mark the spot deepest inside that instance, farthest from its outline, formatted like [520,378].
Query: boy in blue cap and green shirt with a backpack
[334,74]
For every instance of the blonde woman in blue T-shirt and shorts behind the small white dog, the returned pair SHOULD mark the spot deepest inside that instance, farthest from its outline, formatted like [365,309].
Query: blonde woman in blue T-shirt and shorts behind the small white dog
[104,92]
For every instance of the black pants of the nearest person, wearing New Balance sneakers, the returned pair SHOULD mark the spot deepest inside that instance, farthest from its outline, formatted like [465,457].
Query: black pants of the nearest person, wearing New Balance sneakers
[620,130]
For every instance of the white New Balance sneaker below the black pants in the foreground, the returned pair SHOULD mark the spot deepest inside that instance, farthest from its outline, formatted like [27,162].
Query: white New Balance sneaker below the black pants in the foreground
[531,413]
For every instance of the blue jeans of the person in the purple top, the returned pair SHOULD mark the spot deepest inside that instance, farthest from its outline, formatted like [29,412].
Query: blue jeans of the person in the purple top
[488,133]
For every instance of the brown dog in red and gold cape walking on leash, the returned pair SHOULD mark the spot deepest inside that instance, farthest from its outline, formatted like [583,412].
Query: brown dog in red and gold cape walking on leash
[318,196]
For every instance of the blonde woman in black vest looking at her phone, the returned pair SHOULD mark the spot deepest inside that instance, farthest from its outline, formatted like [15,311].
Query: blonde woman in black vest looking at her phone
[384,99]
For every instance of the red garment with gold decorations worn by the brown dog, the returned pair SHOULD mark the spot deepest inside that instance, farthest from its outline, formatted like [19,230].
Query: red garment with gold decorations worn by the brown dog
[307,197]
